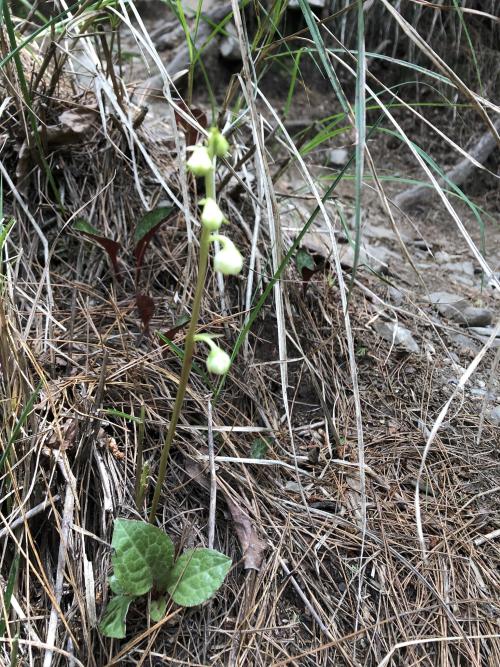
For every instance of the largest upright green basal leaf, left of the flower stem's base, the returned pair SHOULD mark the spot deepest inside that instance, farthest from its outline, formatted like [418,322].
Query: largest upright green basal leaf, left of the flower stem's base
[143,556]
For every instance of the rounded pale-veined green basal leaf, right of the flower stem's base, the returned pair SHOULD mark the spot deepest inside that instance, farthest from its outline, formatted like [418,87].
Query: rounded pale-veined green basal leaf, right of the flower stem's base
[197,575]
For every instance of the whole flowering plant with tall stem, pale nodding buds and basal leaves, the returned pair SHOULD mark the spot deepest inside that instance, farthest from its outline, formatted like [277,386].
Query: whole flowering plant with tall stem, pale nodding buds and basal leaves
[143,558]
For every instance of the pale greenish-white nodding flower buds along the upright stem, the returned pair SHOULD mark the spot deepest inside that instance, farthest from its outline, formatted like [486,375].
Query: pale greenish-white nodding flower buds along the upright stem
[227,260]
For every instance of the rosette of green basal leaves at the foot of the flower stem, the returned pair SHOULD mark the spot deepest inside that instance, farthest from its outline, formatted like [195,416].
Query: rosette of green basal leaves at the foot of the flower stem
[143,563]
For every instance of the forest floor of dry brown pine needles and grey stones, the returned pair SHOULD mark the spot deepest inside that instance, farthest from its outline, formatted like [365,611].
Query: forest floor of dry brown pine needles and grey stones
[329,568]
